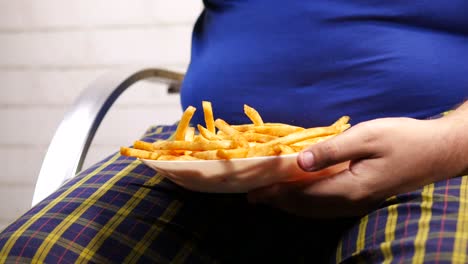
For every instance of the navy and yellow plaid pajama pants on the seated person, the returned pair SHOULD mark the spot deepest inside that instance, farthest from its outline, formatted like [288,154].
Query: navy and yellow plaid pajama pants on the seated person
[120,211]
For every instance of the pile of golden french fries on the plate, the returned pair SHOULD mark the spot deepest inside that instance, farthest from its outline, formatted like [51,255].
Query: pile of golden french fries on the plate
[219,140]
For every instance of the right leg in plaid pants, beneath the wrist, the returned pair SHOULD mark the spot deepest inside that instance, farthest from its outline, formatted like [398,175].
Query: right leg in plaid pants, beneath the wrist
[429,225]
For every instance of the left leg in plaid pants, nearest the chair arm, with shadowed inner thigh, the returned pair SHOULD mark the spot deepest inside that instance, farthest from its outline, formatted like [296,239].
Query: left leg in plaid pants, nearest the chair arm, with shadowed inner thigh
[119,210]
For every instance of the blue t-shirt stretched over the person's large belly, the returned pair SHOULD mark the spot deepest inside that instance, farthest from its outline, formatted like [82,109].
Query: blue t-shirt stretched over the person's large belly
[310,62]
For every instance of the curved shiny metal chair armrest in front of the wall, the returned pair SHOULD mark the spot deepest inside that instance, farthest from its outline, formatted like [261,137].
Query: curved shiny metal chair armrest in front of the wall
[75,133]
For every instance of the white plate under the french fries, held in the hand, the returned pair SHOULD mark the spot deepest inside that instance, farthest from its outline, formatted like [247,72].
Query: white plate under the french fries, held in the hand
[236,175]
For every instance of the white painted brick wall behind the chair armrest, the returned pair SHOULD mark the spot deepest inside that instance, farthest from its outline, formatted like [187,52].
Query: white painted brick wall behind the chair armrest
[50,50]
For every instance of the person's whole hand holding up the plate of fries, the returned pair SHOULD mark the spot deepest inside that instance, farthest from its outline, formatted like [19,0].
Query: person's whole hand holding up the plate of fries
[388,156]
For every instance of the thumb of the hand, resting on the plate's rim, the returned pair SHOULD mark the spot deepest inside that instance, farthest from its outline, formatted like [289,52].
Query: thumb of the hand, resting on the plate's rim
[356,143]
